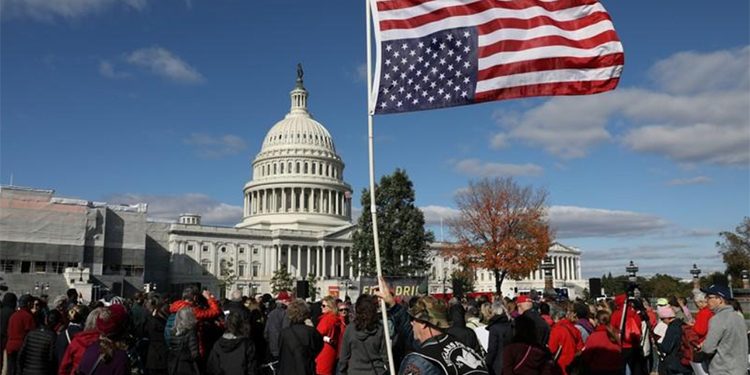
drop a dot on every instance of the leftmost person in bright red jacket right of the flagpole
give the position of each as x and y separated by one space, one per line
565 341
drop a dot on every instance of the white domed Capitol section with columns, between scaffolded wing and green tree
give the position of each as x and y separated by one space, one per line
297 214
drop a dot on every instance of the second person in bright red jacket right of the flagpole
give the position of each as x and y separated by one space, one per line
602 354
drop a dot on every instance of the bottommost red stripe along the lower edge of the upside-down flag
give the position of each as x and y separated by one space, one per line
546 89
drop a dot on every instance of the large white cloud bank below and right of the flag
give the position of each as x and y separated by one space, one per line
697 114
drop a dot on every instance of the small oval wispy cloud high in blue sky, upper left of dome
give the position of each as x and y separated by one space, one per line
164 63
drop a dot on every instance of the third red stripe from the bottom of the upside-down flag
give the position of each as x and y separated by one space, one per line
509 45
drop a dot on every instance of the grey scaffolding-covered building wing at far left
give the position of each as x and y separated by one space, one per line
49 244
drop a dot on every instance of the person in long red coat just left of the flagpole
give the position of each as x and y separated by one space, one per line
330 328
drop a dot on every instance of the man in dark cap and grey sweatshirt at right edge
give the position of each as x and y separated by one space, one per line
727 334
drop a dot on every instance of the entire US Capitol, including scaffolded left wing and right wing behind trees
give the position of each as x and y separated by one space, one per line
297 214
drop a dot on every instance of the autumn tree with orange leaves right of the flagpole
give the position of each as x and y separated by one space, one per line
501 227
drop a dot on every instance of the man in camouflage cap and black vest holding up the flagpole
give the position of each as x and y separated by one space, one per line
436 352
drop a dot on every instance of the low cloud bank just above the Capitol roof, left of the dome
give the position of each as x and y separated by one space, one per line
169 208
